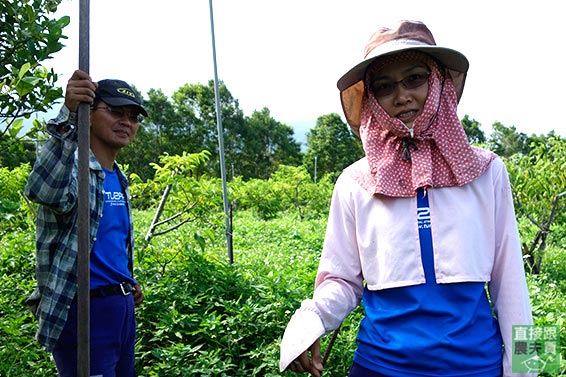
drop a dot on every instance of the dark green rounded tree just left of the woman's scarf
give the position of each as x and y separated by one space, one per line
331 146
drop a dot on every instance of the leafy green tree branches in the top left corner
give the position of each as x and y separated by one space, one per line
28 36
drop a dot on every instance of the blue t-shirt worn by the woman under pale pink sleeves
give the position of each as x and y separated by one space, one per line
429 329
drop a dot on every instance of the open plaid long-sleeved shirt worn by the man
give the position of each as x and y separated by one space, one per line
52 184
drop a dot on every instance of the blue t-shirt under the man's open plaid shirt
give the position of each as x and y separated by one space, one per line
109 258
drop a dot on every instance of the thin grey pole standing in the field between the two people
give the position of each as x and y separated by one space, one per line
220 140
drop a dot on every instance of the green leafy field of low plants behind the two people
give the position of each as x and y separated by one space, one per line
205 317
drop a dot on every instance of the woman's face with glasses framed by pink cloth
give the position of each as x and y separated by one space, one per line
401 89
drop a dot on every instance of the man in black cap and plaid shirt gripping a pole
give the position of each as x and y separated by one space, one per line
116 110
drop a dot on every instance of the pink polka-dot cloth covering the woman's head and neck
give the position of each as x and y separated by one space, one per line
436 155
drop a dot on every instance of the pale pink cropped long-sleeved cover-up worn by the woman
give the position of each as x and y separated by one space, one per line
375 239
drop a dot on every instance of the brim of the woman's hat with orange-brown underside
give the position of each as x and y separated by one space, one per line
351 84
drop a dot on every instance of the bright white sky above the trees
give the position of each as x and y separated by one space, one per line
287 55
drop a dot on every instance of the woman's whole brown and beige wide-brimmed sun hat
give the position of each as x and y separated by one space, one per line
407 35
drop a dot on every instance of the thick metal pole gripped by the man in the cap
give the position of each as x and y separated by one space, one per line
83 258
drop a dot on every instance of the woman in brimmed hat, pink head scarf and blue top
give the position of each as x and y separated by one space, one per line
417 228
